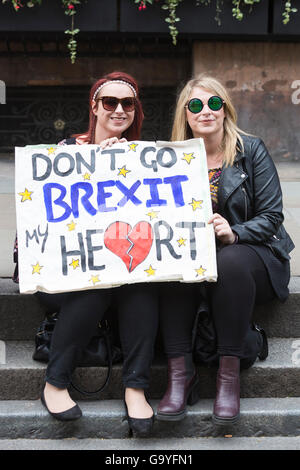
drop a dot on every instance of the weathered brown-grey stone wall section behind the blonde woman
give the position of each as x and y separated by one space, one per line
260 77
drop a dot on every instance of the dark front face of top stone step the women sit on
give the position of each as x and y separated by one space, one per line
21 314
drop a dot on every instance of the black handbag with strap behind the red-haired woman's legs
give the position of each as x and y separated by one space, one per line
101 351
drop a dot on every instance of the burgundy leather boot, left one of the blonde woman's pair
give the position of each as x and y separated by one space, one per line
183 389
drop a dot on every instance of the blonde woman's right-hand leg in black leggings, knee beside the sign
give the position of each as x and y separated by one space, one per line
243 282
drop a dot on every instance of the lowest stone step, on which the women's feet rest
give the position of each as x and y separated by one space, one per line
105 420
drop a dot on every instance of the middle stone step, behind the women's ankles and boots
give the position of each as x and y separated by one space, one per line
22 378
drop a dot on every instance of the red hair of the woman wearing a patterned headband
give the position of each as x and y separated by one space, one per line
134 131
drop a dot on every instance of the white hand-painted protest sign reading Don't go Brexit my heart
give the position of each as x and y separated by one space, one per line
135 212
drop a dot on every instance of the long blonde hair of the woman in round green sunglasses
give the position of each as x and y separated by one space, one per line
232 140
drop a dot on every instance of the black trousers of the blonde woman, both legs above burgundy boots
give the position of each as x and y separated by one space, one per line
243 281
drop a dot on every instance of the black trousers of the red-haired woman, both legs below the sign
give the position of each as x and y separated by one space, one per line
80 312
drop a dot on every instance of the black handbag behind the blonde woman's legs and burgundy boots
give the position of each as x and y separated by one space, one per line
205 342
